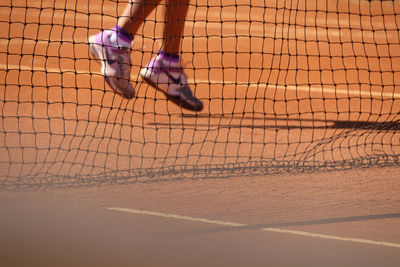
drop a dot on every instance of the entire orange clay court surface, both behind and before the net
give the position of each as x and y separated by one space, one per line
320 218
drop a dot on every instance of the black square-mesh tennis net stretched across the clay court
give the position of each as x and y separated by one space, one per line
287 86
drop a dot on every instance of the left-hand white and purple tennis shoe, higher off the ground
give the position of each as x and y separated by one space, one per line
115 63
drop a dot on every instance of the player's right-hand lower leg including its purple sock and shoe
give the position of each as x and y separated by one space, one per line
164 71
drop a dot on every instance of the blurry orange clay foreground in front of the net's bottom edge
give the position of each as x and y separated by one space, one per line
195 222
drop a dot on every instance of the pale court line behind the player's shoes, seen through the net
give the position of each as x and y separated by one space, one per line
308 89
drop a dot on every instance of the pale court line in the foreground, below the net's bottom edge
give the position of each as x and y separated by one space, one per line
277 230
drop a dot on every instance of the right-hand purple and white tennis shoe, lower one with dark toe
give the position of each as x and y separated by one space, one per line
169 78
